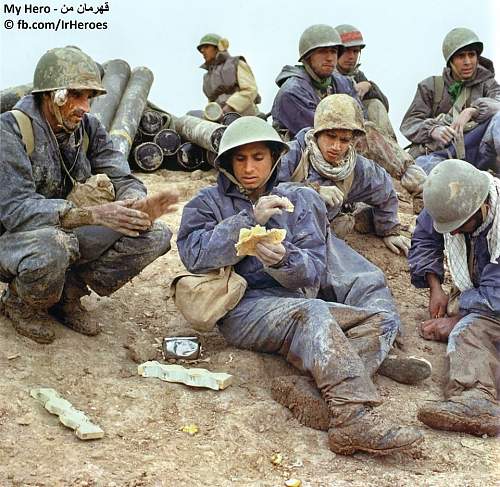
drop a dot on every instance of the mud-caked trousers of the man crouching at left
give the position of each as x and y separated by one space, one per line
36 261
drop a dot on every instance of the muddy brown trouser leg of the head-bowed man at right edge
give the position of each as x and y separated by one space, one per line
473 356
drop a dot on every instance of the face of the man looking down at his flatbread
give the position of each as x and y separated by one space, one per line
252 164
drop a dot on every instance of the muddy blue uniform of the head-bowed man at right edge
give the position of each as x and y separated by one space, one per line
472 352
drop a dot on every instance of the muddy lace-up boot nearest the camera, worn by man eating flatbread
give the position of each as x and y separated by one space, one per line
359 428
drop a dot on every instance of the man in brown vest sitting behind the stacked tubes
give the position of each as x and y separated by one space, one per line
228 81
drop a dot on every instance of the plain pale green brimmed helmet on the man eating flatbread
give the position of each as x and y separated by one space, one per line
246 130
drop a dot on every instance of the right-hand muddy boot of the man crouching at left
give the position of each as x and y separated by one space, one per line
70 311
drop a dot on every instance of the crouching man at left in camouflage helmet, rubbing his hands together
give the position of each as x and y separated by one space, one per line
55 242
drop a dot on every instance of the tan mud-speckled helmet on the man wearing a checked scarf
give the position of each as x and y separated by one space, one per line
339 112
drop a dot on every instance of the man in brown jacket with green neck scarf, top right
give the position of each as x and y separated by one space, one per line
457 113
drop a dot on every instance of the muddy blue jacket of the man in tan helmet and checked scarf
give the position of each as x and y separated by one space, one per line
368 183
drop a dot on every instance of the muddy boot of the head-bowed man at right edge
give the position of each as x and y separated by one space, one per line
474 415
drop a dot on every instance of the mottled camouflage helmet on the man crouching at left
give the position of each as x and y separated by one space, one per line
67 68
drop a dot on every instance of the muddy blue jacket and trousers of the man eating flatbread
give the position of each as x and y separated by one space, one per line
276 315
